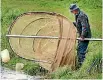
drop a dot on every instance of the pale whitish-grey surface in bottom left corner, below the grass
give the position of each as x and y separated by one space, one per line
7 74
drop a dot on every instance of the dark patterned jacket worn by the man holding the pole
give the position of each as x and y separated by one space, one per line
82 25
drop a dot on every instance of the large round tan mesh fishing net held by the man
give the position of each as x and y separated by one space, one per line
56 52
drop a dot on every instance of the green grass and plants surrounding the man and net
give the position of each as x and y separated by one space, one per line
11 9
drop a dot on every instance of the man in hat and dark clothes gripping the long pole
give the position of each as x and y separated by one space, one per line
83 28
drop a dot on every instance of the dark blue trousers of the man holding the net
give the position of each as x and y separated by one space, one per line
81 50
